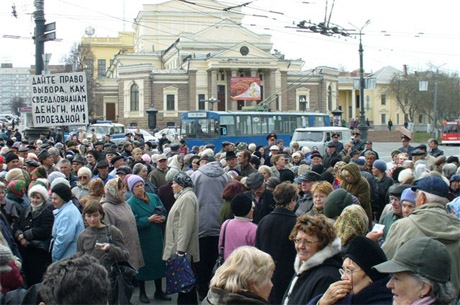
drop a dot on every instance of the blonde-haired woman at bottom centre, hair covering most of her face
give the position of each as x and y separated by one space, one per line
244 278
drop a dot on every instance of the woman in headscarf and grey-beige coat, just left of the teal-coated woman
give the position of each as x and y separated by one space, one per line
119 214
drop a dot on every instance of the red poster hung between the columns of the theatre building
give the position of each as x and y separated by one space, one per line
245 88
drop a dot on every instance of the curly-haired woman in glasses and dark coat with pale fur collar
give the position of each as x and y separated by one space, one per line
318 260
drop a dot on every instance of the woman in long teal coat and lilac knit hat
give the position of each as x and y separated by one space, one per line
149 213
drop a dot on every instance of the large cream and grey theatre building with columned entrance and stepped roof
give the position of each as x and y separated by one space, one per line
182 66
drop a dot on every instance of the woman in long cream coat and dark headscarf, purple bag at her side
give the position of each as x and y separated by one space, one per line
182 227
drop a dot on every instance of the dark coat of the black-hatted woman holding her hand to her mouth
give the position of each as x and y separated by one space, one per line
375 294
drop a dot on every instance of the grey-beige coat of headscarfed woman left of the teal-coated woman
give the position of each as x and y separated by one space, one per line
121 216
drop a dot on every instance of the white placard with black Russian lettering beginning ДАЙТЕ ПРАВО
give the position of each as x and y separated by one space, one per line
59 99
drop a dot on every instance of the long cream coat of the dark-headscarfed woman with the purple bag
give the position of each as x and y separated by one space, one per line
182 226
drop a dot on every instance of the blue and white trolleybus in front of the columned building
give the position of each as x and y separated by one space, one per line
214 127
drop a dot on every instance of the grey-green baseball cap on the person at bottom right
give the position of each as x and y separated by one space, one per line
420 255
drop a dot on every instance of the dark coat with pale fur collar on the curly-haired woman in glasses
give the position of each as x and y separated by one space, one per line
314 276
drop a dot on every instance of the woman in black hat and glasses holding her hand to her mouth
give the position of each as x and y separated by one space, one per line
360 283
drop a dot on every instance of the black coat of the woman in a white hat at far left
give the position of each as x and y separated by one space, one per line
36 227
